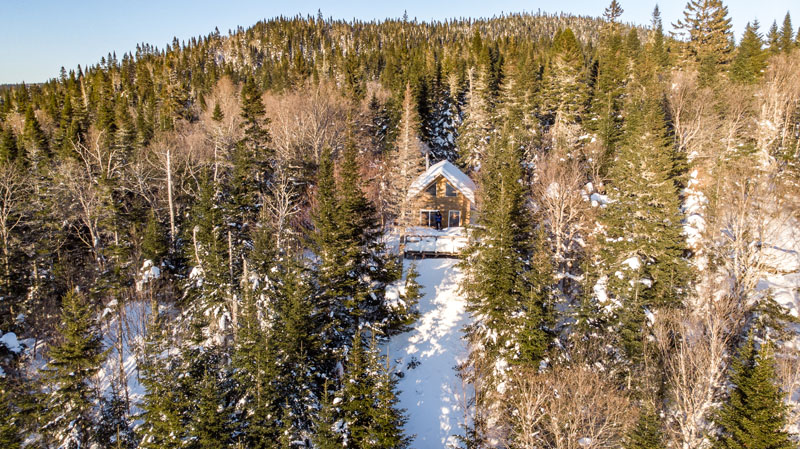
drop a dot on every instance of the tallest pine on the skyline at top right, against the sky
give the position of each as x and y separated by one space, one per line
709 31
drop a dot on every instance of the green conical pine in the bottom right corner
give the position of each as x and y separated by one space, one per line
754 414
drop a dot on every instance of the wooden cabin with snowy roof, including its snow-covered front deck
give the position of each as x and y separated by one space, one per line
444 188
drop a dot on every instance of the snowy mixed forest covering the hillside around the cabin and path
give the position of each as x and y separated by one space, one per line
194 240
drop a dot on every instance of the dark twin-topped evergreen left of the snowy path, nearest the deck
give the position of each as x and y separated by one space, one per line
353 268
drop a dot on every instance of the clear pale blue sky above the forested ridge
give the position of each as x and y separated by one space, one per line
38 37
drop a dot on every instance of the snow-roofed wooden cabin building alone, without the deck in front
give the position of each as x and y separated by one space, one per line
444 188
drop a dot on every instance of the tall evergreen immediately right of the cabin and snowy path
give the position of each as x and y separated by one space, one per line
499 282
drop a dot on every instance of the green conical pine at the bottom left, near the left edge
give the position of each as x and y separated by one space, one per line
74 361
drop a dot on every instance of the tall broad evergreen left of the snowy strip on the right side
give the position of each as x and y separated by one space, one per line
643 253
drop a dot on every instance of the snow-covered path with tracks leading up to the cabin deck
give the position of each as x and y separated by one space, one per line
430 392
